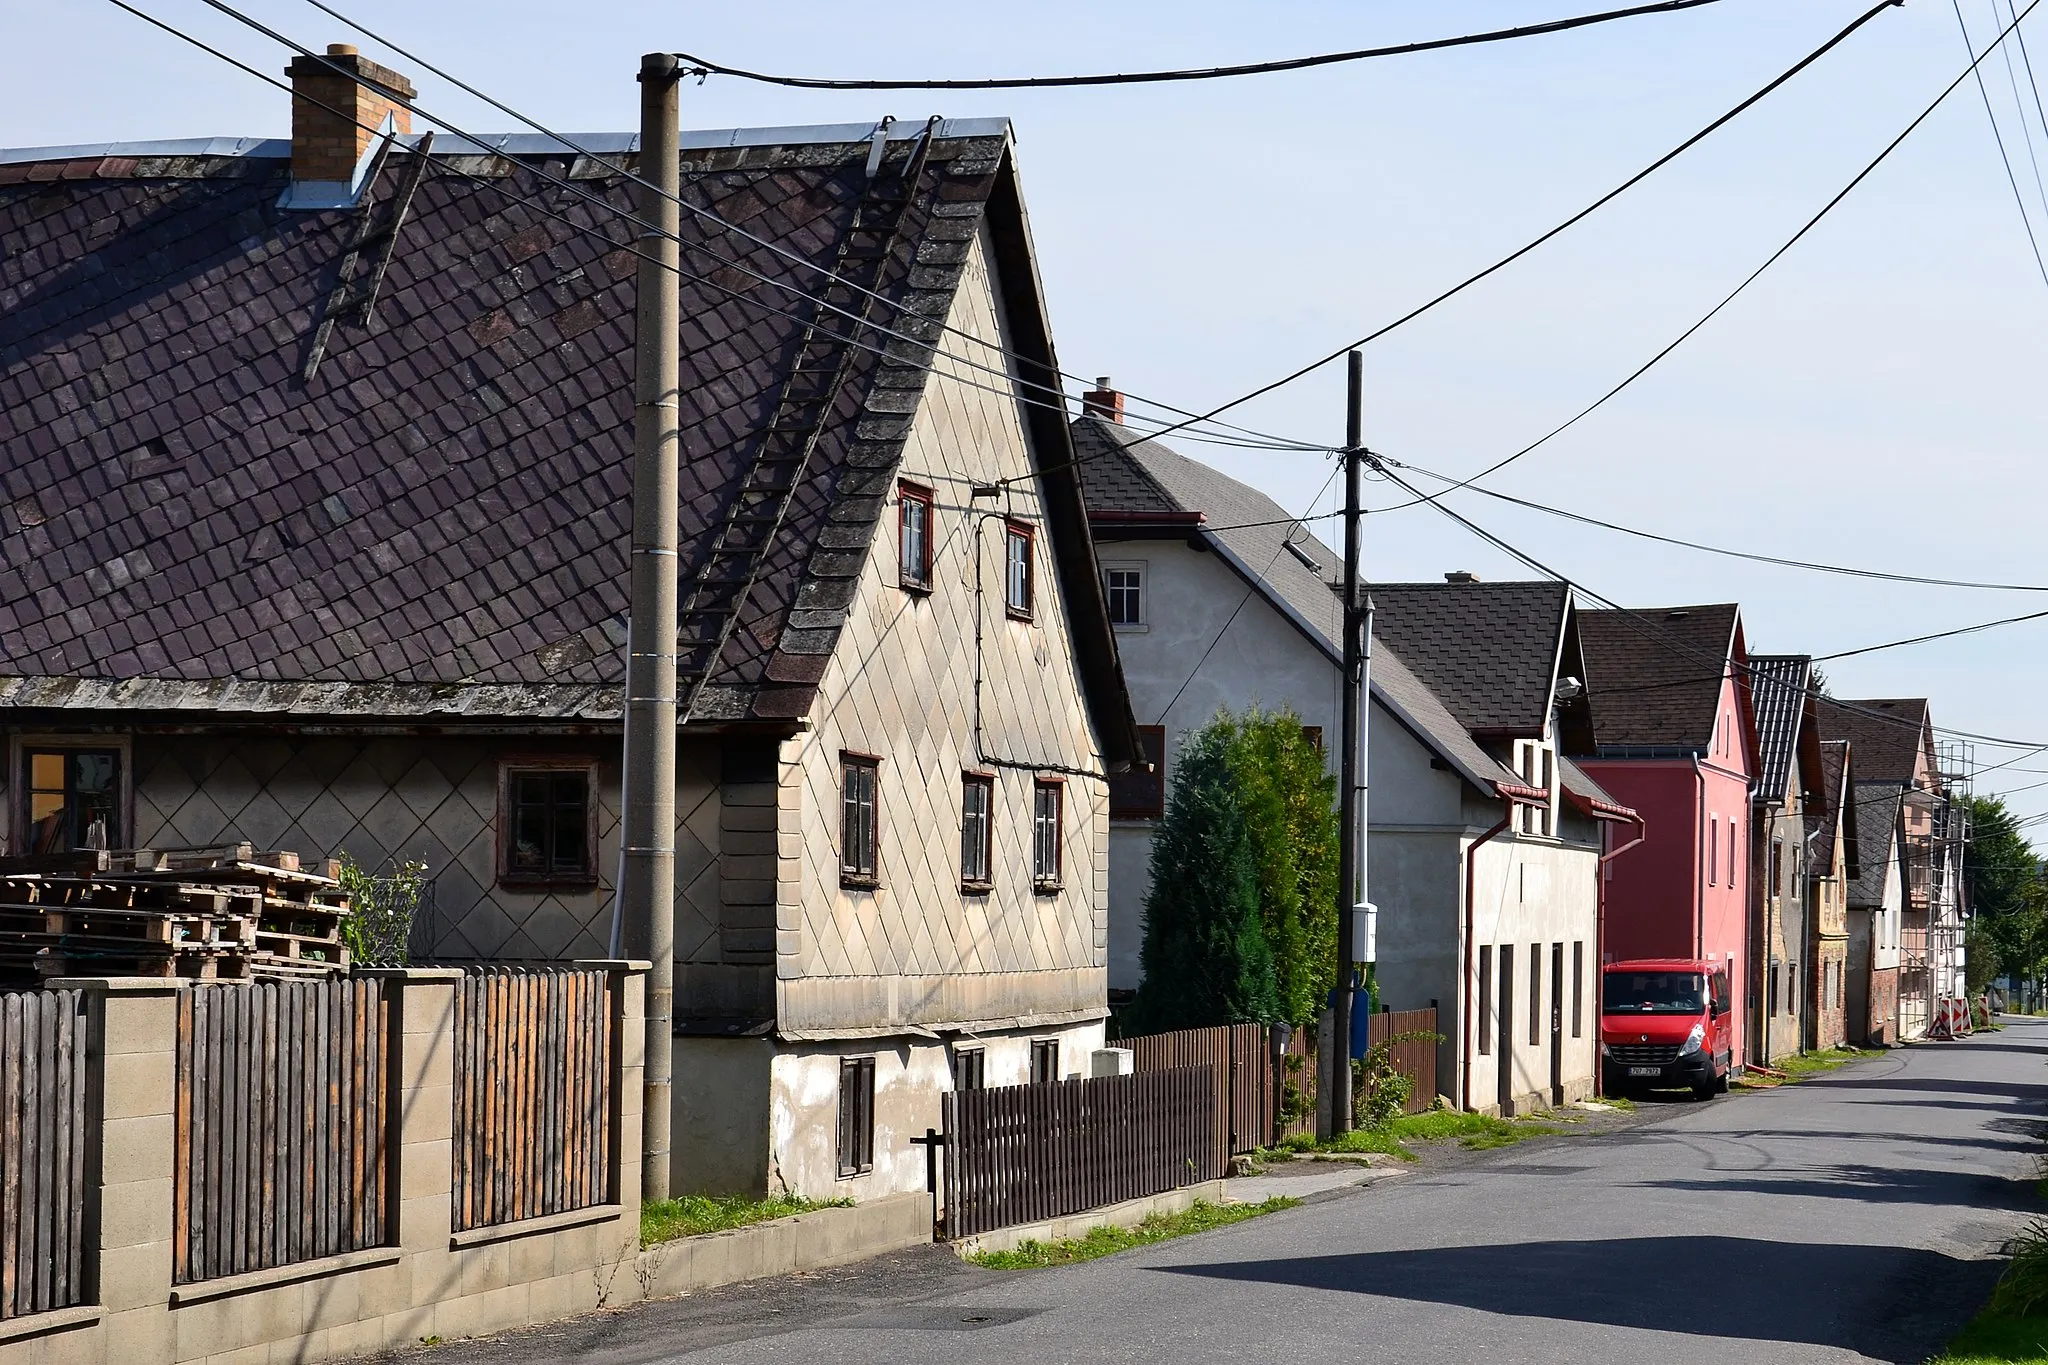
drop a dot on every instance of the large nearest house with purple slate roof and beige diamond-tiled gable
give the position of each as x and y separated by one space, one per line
345 570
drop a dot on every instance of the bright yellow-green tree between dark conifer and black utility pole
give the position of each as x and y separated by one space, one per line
1289 803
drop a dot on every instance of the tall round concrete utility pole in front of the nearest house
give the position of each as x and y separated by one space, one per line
648 856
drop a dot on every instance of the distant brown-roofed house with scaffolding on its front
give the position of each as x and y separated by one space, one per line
1895 754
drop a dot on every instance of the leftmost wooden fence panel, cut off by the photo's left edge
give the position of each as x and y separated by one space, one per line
44 1047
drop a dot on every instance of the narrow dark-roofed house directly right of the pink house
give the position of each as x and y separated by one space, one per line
1789 783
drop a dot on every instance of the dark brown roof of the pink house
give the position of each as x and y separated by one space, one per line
1654 678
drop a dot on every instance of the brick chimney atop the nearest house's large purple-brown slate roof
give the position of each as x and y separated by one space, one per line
337 112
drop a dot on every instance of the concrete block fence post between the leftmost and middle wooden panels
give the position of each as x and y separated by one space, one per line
132 1168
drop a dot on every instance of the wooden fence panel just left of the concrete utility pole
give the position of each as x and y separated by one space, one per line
534 1106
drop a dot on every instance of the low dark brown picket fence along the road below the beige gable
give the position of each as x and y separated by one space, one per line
1027 1153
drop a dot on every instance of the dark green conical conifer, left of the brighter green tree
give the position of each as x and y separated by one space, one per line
1205 946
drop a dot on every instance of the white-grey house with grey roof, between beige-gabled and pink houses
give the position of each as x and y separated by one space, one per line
1484 844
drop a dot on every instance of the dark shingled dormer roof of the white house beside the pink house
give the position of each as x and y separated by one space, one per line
1488 650
